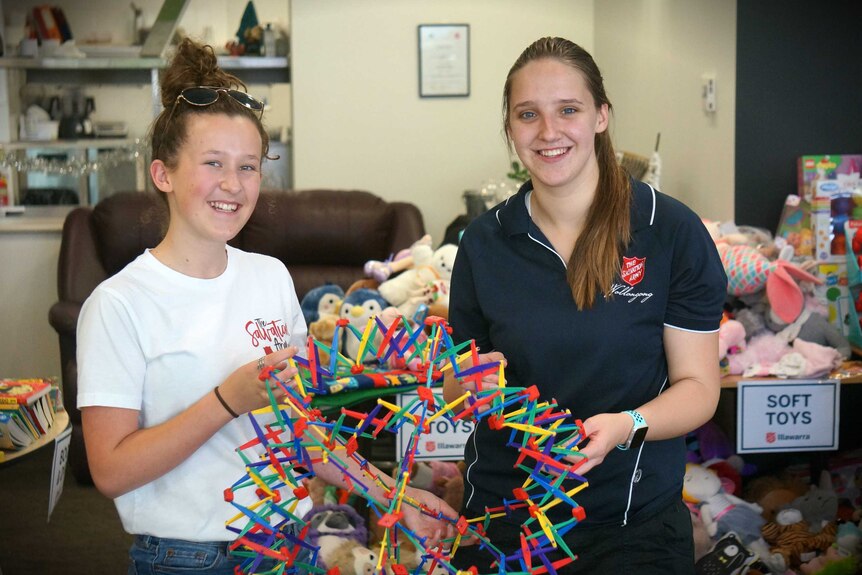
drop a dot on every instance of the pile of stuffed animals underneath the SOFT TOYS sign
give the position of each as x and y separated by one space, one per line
779 527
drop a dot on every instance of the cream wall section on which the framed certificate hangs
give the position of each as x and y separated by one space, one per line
358 120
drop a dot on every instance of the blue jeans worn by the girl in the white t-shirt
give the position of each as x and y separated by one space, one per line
150 555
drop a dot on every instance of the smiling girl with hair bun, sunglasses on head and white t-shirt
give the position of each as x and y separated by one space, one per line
167 361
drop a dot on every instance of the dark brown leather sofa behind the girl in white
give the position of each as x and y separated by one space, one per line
321 235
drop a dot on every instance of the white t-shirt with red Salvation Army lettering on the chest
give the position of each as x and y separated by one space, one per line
155 340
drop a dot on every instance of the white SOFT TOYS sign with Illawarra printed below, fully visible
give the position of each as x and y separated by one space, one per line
801 415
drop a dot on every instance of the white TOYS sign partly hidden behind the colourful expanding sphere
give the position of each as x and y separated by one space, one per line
445 439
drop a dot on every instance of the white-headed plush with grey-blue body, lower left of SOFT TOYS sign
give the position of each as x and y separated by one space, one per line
723 512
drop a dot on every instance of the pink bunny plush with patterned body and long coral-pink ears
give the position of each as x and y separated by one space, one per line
749 271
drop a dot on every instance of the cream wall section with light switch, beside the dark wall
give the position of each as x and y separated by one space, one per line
653 54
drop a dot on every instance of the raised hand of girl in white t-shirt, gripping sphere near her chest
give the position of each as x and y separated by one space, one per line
245 391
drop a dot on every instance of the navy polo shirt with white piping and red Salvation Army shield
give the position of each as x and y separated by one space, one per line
510 293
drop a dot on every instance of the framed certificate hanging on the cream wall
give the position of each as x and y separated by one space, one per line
444 60
